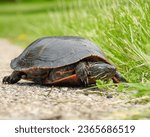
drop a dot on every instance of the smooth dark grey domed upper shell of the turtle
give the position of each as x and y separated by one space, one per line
54 52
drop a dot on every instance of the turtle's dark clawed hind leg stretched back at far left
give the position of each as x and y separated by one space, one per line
13 78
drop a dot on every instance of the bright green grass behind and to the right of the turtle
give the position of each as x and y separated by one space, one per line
120 27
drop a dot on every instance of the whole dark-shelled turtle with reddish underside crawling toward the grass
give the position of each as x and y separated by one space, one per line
64 61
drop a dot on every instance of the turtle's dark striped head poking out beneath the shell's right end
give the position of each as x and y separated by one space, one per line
101 70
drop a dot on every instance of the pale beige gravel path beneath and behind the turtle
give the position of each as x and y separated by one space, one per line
26 100
